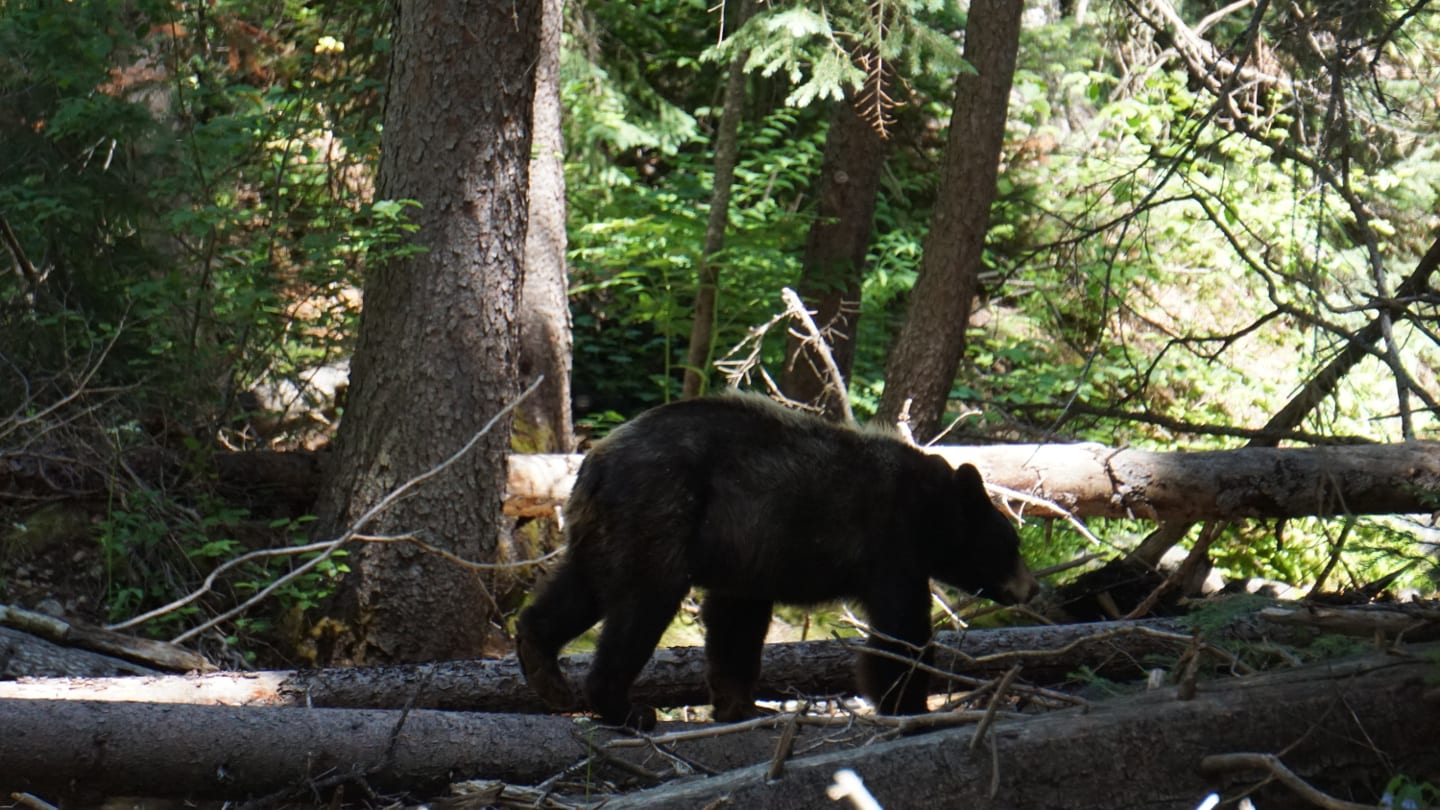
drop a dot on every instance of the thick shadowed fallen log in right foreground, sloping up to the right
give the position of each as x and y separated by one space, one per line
1346 727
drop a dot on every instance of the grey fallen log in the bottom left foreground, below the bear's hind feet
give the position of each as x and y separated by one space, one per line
83 752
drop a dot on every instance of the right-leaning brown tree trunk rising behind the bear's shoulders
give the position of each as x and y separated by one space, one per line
928 351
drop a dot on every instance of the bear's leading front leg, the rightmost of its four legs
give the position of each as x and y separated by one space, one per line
901 626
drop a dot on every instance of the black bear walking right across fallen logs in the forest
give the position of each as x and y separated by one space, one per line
755 505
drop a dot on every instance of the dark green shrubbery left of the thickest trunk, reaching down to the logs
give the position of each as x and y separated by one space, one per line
184 187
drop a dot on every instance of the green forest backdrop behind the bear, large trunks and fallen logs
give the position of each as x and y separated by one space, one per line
1199 208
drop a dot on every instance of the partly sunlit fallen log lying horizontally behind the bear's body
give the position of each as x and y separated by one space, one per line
1089 481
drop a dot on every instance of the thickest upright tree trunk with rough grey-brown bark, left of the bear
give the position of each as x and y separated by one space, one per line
437 350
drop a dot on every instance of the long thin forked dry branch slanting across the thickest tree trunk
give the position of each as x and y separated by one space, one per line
325 548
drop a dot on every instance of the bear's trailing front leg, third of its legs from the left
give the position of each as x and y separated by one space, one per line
735 638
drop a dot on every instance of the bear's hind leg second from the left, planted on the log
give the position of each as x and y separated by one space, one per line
633 628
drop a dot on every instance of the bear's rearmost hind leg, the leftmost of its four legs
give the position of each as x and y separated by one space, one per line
565 609
